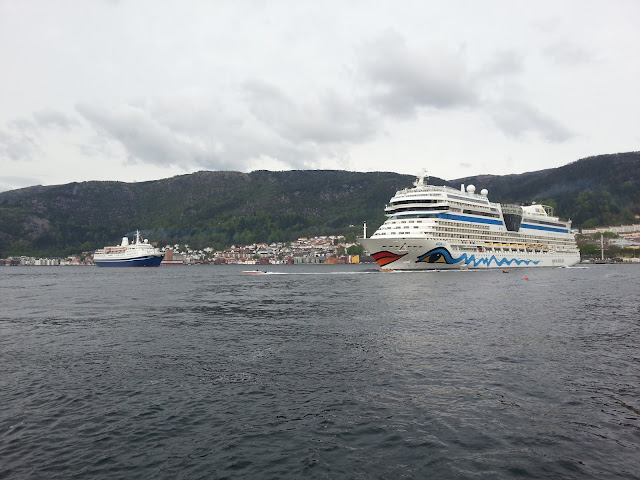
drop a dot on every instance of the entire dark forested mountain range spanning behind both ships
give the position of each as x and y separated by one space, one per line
222 208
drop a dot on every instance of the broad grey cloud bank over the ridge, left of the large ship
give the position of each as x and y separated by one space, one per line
233 130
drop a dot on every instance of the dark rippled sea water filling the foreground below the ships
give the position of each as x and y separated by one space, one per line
319 372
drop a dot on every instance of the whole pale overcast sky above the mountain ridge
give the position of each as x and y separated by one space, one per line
137 90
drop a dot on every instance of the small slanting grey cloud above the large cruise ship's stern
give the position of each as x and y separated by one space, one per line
516 119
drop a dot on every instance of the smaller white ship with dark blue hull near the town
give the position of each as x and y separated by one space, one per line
140 253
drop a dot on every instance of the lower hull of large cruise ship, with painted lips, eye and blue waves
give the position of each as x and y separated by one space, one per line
424 254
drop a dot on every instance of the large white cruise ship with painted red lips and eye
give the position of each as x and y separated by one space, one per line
439 227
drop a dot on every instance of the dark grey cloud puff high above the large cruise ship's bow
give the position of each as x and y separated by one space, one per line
406 80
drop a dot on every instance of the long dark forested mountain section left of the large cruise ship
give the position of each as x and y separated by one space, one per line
202 209
